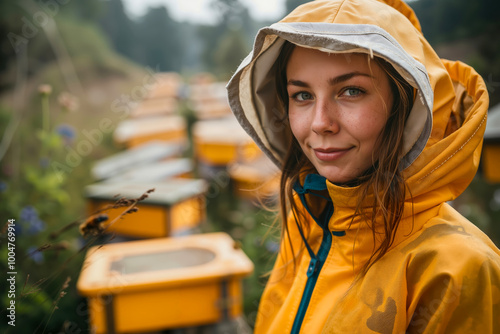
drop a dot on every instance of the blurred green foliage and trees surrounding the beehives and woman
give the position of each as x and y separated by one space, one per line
94 54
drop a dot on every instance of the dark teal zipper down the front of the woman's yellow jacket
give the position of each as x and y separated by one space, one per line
313 271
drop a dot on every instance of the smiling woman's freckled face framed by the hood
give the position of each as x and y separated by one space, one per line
338 106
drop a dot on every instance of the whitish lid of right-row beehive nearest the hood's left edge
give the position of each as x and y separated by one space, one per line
224 130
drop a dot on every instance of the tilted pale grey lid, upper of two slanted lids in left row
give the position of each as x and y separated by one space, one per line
137 156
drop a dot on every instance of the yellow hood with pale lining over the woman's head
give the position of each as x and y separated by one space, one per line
387 29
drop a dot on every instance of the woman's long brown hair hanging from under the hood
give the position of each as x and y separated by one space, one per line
384 180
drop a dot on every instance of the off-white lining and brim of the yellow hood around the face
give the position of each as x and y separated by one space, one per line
252 91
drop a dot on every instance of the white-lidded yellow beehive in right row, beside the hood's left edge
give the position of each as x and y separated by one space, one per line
219 142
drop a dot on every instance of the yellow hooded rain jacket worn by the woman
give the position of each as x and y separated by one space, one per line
441 274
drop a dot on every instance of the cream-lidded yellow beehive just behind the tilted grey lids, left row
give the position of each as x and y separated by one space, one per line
133 132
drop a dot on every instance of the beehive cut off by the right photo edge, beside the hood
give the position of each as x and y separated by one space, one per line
490 160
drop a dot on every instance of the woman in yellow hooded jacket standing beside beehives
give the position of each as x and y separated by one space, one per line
374 135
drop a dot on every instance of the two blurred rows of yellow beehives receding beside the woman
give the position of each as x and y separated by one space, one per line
174 277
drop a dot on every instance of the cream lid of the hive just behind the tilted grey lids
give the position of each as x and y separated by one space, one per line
131 128
